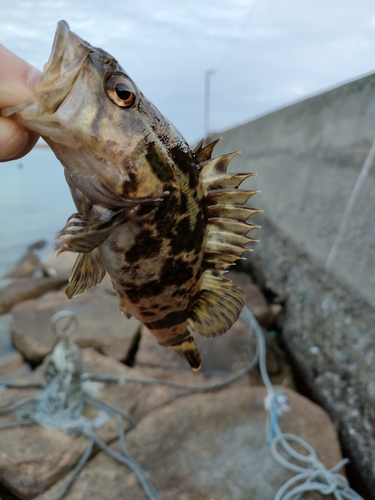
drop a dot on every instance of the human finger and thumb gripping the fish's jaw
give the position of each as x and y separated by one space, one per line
17 79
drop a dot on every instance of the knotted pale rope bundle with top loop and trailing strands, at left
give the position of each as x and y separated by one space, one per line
60 406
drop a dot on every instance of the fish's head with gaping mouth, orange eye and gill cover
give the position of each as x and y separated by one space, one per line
112 141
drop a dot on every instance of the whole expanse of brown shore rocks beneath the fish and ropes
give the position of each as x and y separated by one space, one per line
192 446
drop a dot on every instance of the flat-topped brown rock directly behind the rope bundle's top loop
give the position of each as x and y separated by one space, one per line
101 325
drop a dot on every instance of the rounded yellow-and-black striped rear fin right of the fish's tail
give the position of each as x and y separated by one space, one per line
217 306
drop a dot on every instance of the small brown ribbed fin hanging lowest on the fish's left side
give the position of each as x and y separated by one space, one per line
88 271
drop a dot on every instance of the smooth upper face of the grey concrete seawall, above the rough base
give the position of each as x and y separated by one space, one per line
308 157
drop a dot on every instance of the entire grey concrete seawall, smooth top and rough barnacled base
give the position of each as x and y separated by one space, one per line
308 157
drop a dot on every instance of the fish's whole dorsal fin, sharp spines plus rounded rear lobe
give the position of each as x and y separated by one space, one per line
219 302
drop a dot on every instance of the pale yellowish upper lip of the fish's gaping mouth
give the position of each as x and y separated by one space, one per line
61 70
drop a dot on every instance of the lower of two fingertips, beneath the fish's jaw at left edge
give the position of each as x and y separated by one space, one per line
15 140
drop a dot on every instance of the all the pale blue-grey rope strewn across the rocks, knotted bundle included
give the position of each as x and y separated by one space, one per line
64 393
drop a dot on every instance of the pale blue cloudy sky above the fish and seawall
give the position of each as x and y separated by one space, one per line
265 54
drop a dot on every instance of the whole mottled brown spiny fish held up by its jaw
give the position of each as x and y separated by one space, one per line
163 220
